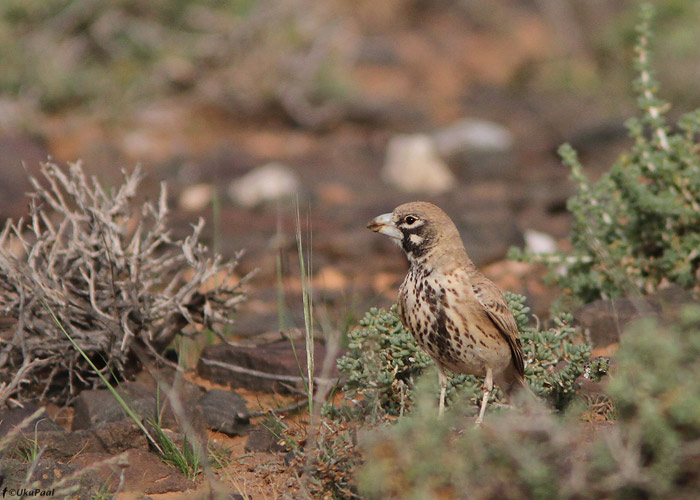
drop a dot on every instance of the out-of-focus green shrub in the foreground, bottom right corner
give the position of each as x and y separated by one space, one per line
651 452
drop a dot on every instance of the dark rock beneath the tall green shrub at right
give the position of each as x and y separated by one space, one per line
604 320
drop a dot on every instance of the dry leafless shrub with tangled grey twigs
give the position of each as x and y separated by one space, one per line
111 274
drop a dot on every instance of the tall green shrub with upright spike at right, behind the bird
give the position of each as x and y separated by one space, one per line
638 226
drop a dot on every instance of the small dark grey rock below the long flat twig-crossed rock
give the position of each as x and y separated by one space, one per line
225 411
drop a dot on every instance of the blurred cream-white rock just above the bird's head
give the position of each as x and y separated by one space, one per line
413 166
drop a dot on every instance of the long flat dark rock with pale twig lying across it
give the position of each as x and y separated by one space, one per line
271 367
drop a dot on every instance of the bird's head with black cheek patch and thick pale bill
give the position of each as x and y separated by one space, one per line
419 228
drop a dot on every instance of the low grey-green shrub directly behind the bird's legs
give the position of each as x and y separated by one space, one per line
383 361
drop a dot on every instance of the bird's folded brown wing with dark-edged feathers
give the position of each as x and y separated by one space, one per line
495 305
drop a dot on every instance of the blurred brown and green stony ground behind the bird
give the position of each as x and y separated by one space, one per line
354 106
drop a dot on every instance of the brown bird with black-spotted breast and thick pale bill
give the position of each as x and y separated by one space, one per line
456 314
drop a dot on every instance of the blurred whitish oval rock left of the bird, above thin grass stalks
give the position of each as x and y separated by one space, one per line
269 182
